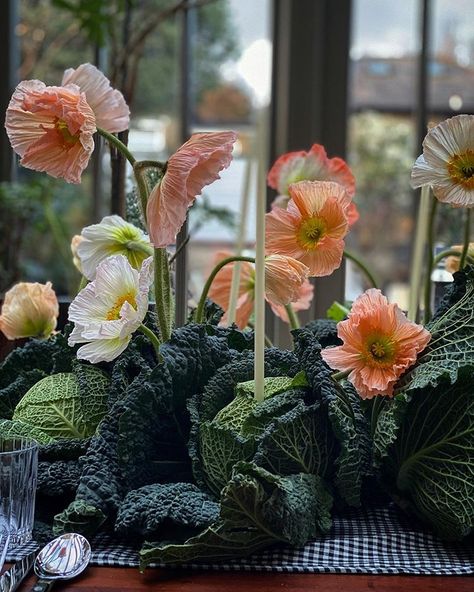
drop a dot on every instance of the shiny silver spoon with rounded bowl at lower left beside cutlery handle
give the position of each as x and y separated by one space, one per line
62 559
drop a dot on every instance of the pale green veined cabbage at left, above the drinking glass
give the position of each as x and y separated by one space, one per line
59 407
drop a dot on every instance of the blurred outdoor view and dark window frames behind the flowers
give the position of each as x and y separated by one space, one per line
362 77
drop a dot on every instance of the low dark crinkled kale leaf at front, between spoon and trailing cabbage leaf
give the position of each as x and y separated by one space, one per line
166 510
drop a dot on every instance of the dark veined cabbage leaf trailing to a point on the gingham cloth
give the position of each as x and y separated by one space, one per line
258 509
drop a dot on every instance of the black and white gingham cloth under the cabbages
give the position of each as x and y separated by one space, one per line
377 541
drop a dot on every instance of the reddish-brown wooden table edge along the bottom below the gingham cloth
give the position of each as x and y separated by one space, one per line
128 579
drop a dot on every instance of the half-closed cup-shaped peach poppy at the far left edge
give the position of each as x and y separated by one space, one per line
29 310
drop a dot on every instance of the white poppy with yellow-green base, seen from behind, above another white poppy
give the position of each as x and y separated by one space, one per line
113 236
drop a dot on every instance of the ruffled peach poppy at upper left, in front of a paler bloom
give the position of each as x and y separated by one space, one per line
51 128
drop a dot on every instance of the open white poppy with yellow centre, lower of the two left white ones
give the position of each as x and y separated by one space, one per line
109 309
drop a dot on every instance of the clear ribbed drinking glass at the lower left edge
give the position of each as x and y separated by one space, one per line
18 473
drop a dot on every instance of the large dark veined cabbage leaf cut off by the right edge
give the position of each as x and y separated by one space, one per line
425 444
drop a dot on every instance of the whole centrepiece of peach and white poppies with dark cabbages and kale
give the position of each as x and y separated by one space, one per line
185 447
